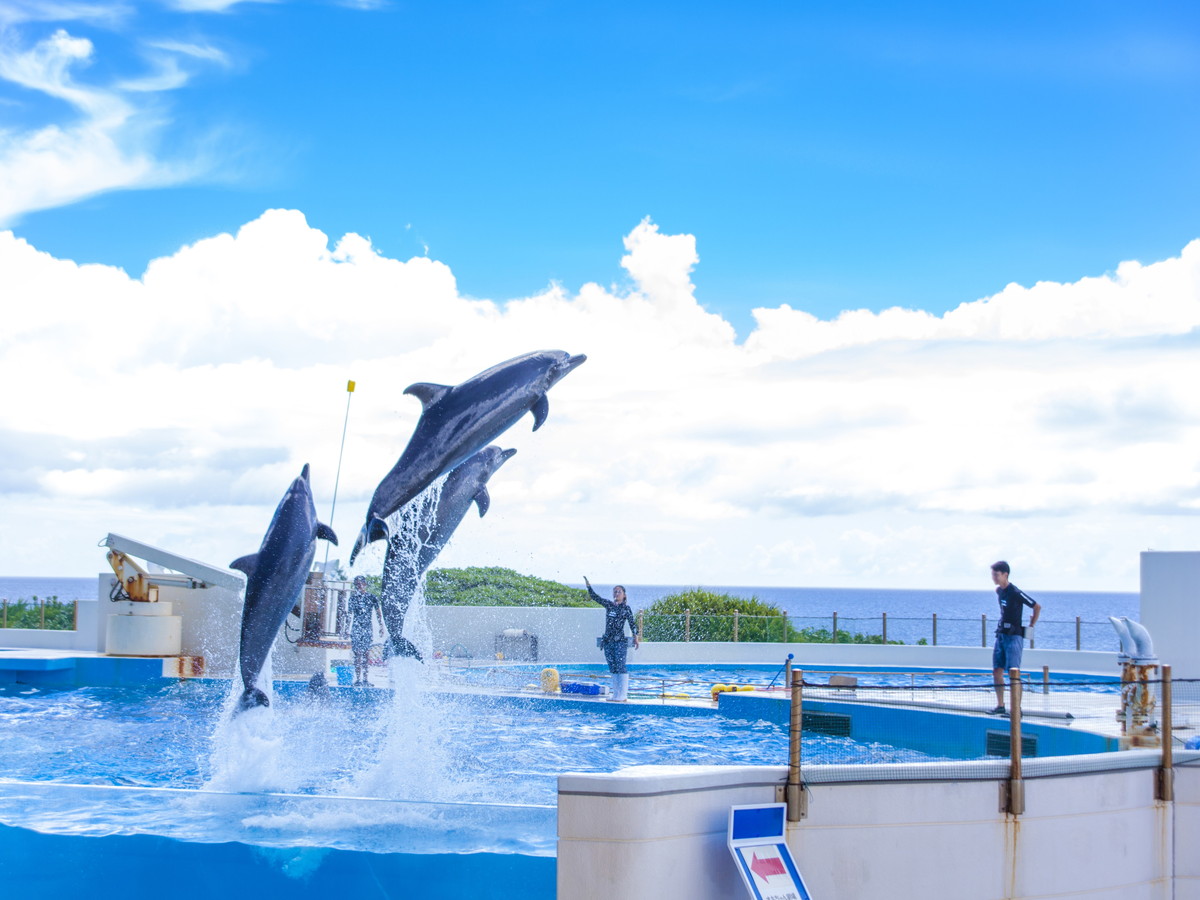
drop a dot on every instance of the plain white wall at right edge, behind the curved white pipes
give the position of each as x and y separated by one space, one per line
1171 609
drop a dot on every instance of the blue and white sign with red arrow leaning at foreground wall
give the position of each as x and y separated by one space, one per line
759 845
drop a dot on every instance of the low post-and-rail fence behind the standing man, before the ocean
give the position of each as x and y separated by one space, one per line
934 631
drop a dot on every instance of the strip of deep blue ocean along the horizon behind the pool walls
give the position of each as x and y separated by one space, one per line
860 610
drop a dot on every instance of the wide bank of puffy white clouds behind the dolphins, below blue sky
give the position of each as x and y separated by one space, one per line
1053 424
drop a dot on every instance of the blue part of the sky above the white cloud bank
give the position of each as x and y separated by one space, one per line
826 155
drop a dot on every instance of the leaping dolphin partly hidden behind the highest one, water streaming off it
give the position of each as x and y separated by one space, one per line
465 485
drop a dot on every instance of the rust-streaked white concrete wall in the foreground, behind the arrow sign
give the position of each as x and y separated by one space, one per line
1094 835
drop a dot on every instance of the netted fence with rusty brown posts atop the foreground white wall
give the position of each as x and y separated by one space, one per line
1075 727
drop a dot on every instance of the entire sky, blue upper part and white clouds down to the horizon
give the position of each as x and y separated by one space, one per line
872 295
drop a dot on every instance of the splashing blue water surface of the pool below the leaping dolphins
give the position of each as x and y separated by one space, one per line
406 771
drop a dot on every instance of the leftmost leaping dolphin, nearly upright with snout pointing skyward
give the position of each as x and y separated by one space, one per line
274 579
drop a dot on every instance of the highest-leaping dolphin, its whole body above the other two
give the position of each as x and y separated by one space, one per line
460 421
